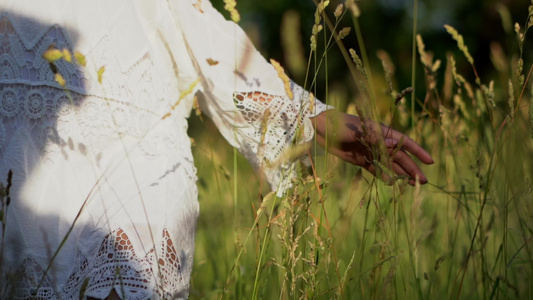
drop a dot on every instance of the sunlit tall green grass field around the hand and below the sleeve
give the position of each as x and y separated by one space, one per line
342 234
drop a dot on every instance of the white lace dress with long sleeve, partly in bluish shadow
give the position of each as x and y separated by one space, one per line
103 191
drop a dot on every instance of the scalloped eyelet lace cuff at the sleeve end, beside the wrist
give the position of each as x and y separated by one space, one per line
277 123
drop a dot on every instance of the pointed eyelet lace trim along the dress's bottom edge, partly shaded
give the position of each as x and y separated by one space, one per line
114 266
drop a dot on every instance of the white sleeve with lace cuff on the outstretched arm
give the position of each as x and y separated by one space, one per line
255 110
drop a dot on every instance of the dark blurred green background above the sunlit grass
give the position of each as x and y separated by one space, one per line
388 25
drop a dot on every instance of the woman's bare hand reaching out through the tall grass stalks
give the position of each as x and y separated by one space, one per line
353 141
